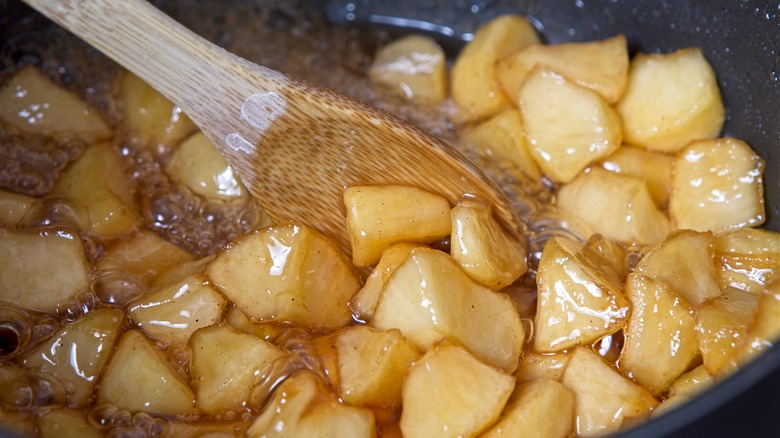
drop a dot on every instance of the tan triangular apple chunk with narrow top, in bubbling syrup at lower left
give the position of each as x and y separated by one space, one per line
140 378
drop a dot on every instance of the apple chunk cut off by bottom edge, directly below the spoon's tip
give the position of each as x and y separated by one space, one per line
542 408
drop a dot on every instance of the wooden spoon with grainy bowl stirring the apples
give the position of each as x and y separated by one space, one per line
295 145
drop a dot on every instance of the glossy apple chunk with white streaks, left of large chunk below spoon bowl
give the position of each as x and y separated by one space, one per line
171 314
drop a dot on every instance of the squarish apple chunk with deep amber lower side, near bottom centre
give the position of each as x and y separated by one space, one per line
372 365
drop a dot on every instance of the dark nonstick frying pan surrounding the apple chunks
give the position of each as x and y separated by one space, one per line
741 39
